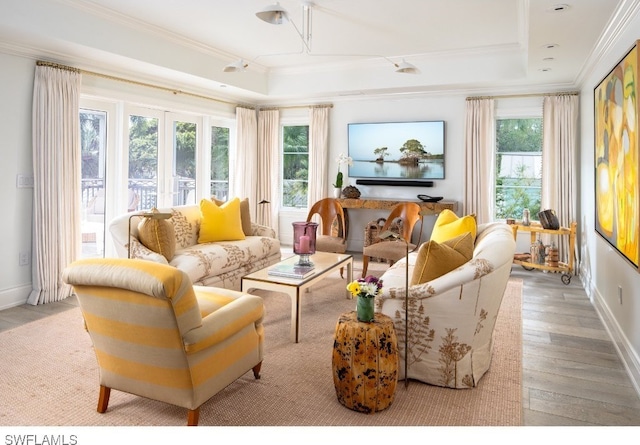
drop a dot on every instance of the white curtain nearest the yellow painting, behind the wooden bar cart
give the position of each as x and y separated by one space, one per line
559 146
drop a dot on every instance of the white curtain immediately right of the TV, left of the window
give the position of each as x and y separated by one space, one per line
480 136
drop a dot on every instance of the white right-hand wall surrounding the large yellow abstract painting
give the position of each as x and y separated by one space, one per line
603 269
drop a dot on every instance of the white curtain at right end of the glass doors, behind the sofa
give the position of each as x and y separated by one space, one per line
246 157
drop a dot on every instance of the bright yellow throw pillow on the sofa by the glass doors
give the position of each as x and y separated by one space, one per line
220 223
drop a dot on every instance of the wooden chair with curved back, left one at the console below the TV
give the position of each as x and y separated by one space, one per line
330 239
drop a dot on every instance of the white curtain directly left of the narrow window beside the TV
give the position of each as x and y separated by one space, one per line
268 167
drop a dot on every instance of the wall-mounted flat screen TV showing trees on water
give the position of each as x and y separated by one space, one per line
397 150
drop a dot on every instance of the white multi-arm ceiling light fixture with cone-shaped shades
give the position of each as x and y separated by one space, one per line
277 15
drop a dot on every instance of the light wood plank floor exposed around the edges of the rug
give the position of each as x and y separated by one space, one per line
571 372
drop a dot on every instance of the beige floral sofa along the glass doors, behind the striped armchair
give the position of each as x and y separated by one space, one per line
217 264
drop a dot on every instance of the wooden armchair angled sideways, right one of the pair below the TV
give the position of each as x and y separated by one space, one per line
392 249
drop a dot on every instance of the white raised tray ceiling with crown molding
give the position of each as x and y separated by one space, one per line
458 45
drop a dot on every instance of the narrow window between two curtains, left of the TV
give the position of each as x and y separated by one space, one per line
295 165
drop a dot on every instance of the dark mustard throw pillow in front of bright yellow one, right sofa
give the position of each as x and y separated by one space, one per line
436 259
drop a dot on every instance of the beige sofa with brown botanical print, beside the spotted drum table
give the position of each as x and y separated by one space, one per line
452 317
